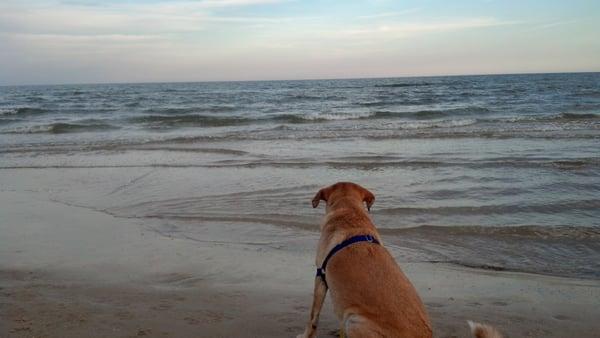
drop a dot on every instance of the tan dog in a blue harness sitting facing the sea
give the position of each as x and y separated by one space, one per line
371 296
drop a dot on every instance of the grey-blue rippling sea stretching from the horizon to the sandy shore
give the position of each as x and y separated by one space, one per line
493 172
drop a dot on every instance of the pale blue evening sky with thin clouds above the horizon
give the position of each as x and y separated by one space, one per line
91 41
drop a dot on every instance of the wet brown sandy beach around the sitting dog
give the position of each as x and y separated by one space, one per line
68 271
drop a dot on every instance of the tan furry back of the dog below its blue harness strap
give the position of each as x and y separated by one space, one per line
368 287
